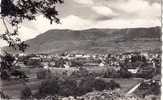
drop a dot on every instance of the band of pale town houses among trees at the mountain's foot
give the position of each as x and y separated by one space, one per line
133 61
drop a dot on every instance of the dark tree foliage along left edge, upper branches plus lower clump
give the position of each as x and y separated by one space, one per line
14 12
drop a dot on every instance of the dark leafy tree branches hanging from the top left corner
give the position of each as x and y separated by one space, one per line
16 11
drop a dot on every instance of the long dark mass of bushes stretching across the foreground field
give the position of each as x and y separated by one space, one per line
70 86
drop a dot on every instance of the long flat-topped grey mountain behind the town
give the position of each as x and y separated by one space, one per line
96 40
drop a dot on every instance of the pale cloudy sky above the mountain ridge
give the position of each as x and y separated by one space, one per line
86 14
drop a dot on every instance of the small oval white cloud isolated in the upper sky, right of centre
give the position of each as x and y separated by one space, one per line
105 11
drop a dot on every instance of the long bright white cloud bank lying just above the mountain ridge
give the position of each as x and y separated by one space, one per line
77 23
